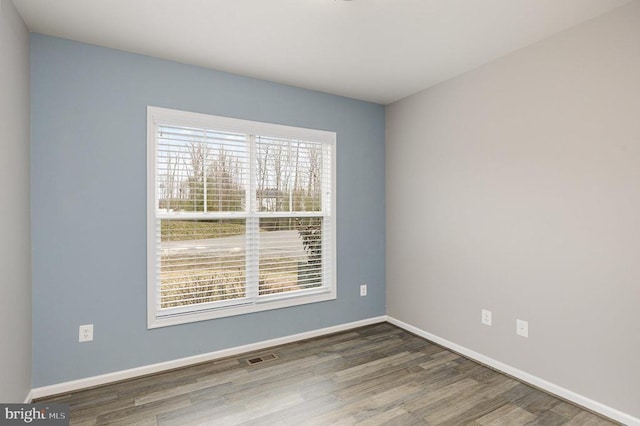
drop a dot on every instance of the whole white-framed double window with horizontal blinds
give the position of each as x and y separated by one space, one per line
241 216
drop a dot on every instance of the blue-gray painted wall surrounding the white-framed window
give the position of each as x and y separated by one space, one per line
88 181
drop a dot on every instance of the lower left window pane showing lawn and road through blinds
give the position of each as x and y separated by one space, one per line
201 261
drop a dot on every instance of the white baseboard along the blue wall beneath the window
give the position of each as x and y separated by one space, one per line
103 379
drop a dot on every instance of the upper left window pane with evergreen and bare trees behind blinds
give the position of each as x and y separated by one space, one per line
187 158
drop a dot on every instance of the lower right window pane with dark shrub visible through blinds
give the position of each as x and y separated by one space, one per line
290 254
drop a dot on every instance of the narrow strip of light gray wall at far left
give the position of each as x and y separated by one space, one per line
15 248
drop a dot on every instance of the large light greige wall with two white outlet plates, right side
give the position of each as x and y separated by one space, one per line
516 188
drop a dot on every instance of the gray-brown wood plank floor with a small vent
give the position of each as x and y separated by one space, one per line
372 375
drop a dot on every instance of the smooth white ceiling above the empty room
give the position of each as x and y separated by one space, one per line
375 50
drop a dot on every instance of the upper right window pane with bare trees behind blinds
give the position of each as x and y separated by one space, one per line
289 175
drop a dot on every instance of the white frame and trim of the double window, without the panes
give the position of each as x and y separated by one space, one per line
155 316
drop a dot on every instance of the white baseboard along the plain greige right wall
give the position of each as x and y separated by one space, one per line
583 401
